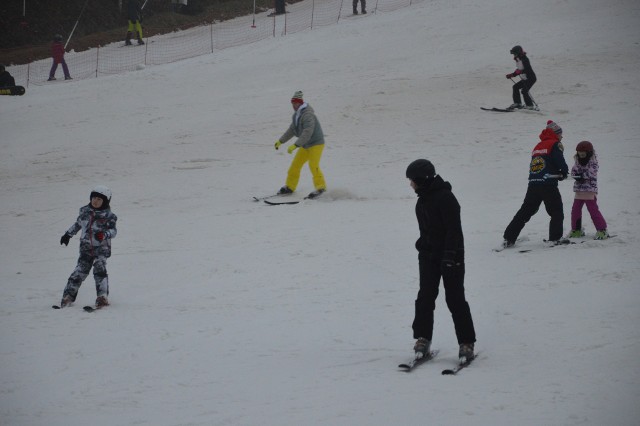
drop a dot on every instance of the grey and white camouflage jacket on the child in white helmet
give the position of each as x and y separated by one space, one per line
91 221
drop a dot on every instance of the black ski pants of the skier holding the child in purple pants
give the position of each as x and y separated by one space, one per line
536 195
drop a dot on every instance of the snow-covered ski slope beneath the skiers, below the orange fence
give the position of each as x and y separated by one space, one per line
229 312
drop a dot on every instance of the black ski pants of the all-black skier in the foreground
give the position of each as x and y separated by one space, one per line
431 271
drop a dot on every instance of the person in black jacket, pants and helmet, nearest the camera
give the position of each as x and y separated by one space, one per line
440 255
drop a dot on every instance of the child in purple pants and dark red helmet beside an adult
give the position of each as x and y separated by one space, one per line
585 172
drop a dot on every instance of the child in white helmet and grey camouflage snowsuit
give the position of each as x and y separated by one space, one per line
98 225
